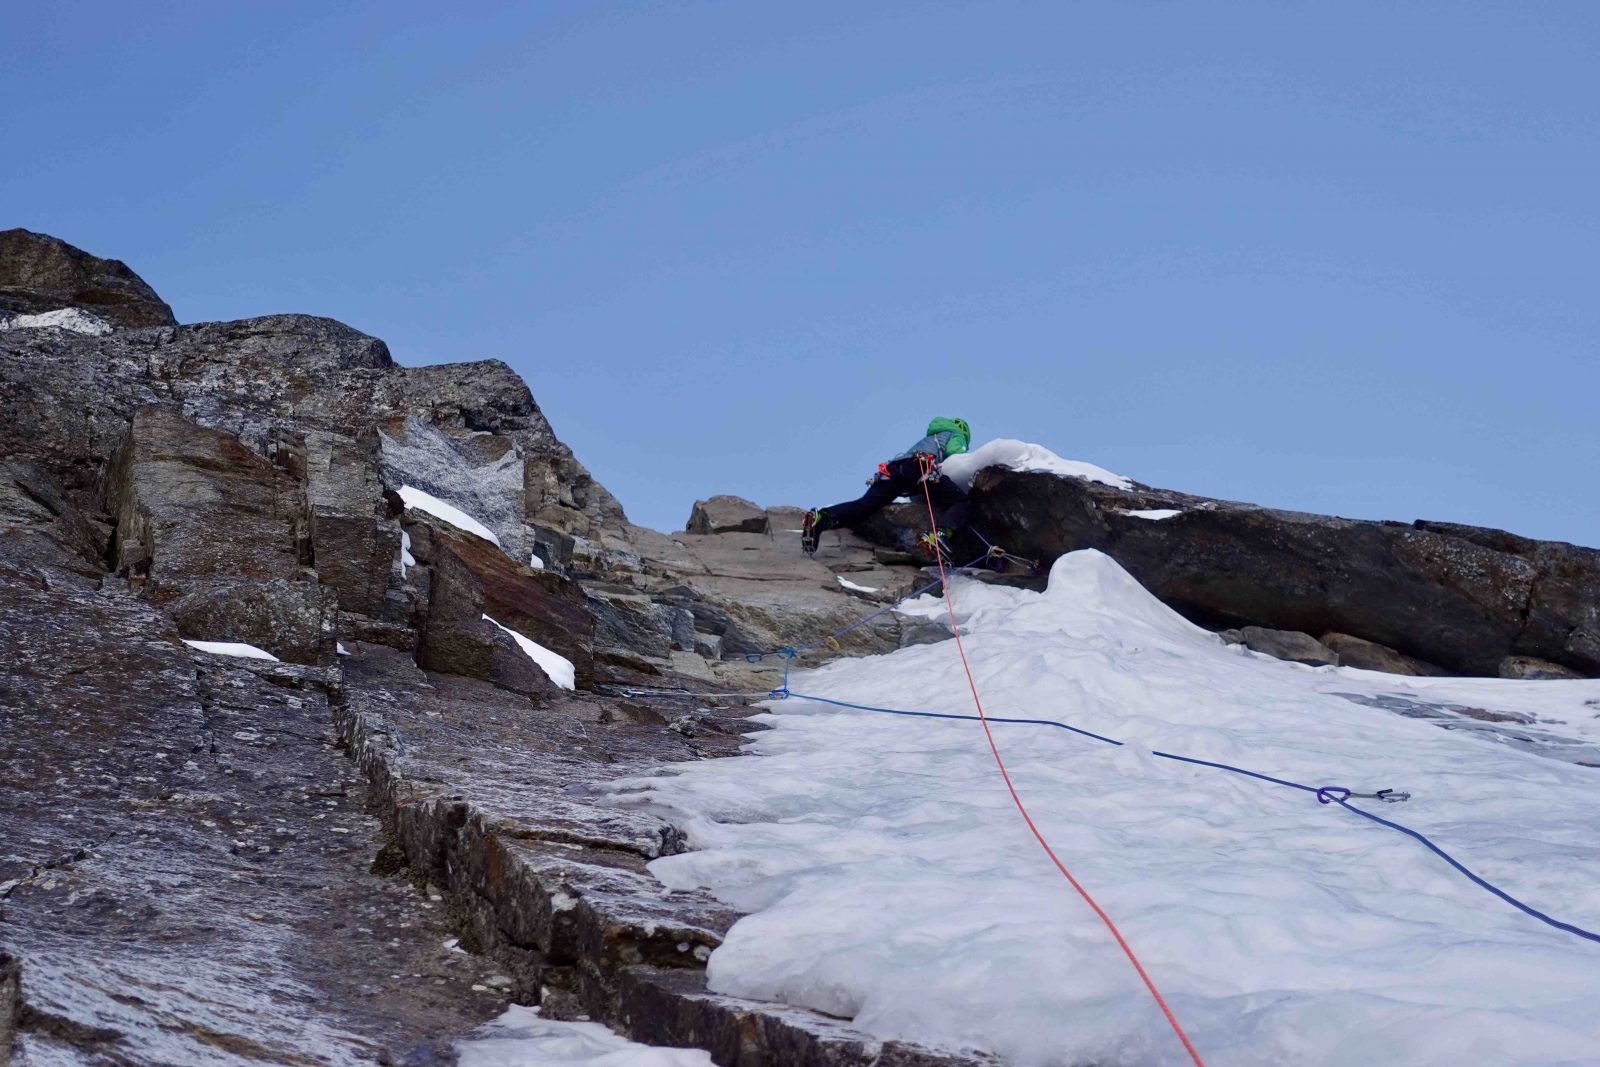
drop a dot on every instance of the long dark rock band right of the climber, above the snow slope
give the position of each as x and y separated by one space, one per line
1444 594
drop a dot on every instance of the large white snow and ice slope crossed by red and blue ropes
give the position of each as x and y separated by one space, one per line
889 879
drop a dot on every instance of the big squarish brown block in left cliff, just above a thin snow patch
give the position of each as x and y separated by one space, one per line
214 533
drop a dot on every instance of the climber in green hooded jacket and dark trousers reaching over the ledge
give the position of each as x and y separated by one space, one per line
905 476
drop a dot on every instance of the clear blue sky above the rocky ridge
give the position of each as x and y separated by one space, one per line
1337 258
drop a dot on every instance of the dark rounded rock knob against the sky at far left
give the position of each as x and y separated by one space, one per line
44 274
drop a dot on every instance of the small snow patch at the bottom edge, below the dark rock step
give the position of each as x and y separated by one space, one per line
522 1039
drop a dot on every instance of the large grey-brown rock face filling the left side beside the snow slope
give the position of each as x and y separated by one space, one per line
186 871
